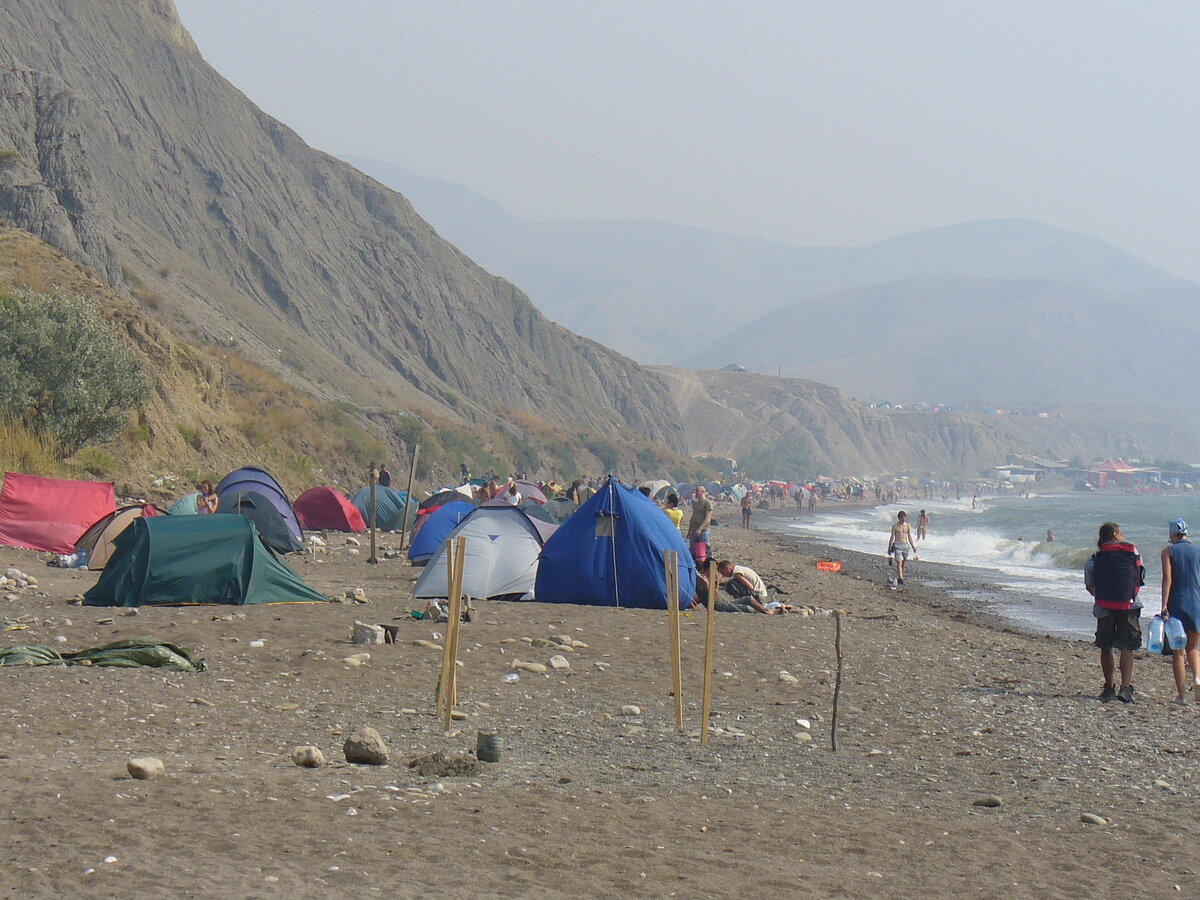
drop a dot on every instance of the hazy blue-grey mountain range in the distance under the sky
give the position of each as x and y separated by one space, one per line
665 293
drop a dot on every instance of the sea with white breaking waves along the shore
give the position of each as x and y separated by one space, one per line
1003 544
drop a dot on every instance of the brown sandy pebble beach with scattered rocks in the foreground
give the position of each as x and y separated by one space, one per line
941 709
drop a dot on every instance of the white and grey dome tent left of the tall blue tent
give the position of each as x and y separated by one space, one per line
503 544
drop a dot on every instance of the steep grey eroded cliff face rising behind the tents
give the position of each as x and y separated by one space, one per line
121 147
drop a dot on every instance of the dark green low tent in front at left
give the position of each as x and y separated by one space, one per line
196 560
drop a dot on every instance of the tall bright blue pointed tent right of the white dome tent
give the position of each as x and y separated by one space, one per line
610 554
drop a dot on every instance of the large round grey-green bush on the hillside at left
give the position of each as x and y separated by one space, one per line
64 370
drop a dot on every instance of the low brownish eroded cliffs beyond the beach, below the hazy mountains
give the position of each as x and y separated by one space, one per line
740 415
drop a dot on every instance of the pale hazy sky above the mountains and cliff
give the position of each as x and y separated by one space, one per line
833 123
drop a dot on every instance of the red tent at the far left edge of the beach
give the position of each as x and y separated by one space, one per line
51 514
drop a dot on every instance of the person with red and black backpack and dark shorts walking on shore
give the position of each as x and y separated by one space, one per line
1114 575
